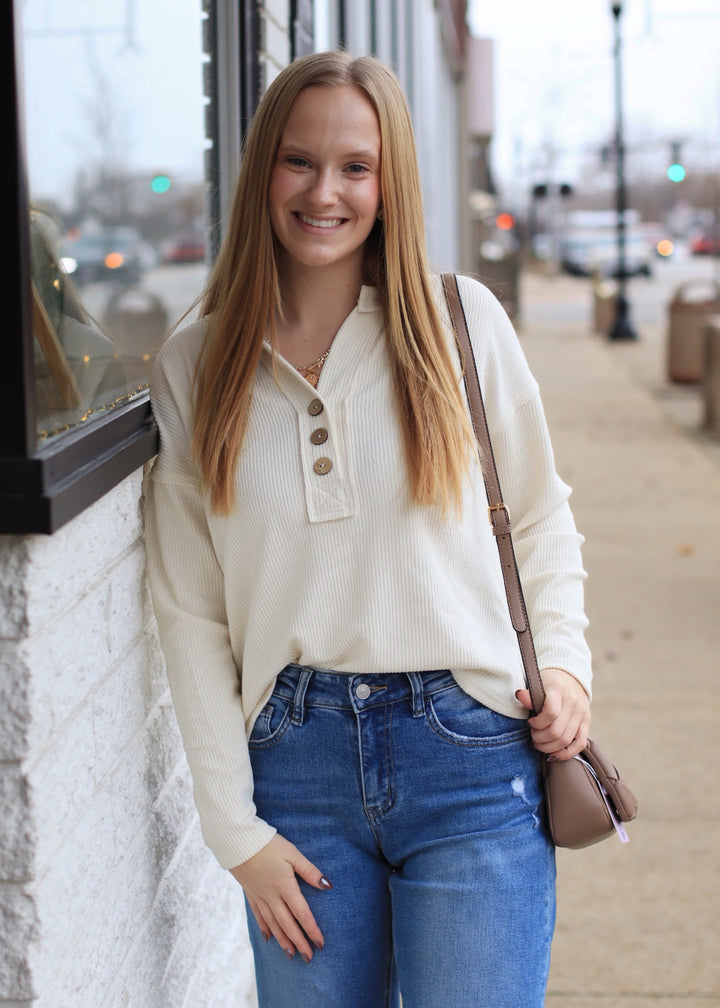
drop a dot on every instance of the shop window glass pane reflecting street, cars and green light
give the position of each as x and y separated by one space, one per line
115 124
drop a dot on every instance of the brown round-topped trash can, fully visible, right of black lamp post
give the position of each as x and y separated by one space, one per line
692 303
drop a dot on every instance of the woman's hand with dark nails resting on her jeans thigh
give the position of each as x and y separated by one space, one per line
271 885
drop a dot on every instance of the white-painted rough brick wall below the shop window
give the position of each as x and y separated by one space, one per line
108 897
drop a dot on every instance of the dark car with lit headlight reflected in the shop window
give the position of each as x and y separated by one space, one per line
116 256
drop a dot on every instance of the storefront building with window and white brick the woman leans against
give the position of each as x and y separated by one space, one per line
108 897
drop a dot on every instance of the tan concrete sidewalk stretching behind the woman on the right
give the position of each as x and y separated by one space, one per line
640 924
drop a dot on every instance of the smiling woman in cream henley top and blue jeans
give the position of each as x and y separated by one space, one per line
327 587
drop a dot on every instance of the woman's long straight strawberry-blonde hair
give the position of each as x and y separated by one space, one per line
244 296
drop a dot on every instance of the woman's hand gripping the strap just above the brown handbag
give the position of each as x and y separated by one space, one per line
562 726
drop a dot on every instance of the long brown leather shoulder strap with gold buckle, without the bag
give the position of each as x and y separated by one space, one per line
498 511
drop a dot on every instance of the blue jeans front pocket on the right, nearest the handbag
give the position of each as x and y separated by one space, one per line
459 718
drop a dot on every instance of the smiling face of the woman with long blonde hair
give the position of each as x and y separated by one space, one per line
325 186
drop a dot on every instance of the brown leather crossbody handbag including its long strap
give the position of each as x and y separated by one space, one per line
586 800
